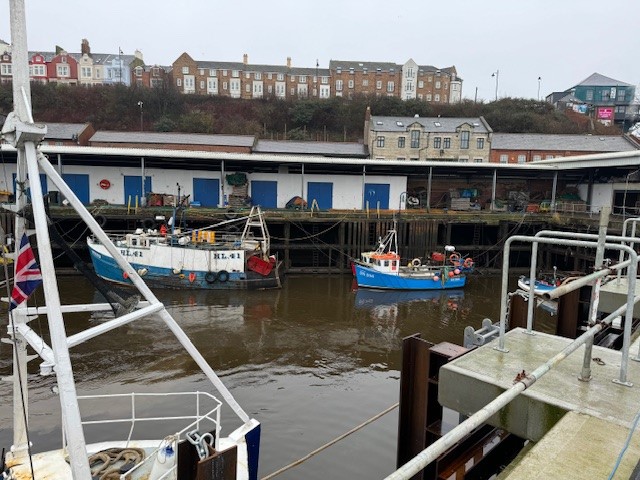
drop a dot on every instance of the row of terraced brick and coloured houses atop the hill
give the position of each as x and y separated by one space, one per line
243 79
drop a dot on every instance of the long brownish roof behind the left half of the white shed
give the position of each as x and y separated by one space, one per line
174 138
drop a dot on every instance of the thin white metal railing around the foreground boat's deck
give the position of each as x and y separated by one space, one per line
196 418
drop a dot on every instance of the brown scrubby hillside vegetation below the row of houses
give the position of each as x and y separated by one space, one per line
336 119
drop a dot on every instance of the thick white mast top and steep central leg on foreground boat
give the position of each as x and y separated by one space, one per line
20 130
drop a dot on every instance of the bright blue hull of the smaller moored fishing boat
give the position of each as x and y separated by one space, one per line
369 278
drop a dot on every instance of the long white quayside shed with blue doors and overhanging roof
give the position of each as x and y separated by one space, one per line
338 176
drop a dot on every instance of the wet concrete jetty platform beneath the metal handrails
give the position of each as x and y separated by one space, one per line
583 443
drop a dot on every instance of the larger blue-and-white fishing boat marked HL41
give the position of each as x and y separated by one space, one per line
196 259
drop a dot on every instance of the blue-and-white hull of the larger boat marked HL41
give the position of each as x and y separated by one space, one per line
183 268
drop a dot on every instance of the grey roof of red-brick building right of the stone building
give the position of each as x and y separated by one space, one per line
539 141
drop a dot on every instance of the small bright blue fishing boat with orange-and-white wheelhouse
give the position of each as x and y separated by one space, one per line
383 269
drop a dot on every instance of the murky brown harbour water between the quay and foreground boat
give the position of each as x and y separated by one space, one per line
310 362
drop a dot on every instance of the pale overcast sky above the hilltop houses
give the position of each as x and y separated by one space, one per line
561 41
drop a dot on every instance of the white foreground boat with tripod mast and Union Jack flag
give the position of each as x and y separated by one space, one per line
133 435
